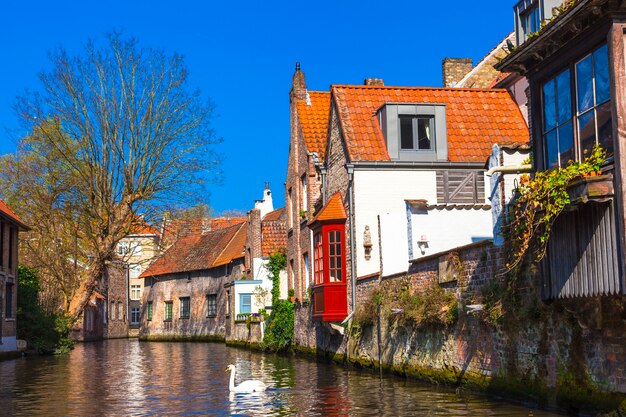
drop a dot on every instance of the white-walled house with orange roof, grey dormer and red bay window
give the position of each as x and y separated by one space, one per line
406 164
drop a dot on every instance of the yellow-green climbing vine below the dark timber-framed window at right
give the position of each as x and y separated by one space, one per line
540 201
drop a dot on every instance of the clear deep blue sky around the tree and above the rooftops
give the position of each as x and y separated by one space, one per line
242 55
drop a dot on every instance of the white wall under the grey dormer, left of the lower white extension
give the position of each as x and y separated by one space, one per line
383 193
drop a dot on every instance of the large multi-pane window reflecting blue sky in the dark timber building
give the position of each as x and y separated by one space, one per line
573 125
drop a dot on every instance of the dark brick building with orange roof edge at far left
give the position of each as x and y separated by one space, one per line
10 226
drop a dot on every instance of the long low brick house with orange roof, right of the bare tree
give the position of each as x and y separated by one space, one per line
184 294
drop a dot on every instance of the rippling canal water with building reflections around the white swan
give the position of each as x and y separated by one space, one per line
130 378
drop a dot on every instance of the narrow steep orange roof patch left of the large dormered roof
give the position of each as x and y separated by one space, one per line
314 120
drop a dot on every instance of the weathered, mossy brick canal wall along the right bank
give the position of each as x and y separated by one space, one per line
564 353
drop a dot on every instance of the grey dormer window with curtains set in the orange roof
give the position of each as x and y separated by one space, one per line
415 132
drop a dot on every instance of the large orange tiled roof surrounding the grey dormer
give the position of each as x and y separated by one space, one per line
476 119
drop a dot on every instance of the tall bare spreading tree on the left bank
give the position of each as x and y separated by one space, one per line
118 132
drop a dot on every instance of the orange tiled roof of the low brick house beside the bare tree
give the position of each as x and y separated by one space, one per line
199 251
